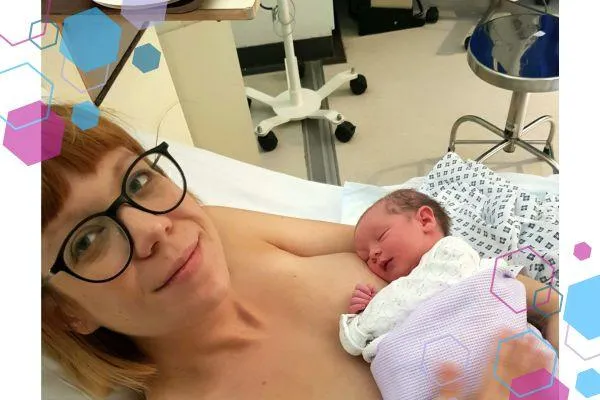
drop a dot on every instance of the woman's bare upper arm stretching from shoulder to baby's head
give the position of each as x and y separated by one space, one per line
301 237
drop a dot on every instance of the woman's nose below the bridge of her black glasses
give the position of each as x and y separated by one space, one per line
147 230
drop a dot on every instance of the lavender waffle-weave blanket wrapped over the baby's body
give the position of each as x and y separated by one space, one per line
457 325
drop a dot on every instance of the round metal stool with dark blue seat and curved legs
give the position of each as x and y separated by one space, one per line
518 53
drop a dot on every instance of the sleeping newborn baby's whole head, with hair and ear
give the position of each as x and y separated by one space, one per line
396 231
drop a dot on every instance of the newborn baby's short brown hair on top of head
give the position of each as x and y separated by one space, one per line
403 200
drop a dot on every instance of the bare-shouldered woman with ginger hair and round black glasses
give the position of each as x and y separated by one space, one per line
145 287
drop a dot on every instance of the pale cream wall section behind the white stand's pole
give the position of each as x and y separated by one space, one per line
314 18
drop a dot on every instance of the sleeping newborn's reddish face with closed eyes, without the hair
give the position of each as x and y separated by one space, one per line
392 244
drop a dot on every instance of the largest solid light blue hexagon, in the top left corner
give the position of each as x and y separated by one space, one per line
90 39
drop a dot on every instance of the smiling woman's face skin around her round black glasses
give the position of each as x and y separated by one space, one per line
149 298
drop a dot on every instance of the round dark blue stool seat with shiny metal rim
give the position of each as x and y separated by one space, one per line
517 52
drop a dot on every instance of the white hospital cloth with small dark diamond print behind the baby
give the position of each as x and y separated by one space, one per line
497 217
